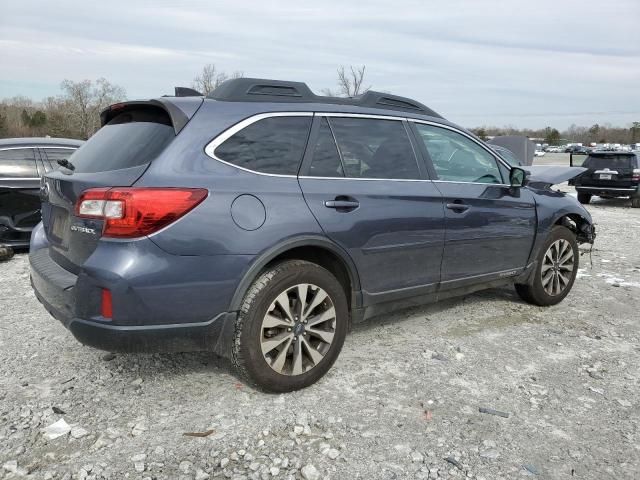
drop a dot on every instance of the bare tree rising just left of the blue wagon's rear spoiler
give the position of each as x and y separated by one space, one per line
84 102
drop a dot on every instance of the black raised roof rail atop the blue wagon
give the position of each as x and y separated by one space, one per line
262 90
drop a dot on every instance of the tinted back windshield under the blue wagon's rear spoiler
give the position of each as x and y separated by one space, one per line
132 138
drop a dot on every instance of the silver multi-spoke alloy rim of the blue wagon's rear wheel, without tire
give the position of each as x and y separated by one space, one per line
298 329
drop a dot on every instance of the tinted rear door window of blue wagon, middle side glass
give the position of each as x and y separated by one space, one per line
372 148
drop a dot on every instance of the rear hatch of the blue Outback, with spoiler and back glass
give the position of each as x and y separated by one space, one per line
132 136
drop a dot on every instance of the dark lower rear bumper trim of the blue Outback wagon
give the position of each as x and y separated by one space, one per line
57 289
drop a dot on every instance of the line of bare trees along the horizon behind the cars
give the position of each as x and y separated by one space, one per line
74 113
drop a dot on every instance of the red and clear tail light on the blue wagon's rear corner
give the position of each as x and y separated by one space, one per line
136 212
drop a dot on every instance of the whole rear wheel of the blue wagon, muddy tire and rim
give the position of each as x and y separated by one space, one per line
301 352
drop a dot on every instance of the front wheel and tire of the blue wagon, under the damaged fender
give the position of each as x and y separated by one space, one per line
545 291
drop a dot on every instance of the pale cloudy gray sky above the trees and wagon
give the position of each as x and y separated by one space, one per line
523 63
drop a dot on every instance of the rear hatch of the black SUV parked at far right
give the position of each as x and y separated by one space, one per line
609 169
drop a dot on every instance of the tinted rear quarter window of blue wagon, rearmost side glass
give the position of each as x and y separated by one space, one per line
272 145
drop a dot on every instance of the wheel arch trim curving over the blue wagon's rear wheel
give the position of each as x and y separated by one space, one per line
316 249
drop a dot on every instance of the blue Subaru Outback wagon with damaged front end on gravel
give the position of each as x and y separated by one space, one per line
261 221
